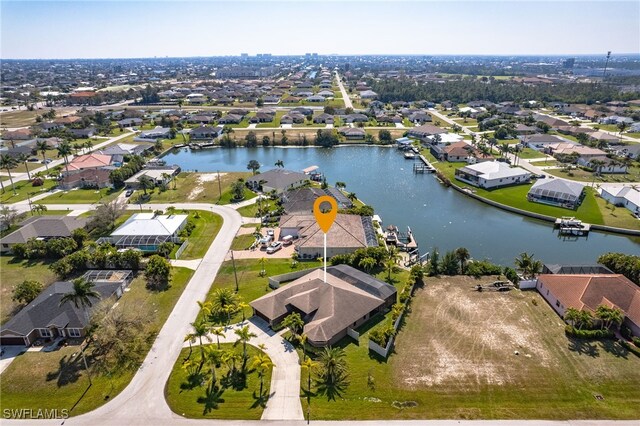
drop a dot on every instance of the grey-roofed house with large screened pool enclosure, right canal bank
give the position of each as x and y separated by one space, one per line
557 192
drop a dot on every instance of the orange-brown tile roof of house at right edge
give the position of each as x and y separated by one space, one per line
588 291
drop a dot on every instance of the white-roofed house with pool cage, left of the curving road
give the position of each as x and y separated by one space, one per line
146 231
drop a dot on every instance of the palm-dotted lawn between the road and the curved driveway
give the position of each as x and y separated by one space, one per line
235 400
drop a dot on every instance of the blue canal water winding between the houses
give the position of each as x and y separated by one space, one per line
439 217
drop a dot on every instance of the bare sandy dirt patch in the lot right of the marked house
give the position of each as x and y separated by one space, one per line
469 339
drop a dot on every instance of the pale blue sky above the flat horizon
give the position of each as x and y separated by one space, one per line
95 29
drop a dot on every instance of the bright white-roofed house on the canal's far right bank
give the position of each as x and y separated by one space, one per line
492 174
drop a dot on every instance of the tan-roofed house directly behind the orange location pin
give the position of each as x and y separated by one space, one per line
347 234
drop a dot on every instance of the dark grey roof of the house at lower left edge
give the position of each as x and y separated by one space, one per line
45 310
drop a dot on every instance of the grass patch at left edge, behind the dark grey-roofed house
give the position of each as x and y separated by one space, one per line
12 272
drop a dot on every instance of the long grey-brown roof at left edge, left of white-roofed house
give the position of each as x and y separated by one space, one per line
45 227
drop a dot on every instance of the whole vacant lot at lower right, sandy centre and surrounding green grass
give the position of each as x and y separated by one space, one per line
455 358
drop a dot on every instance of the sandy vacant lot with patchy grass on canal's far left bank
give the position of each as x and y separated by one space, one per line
198 187
